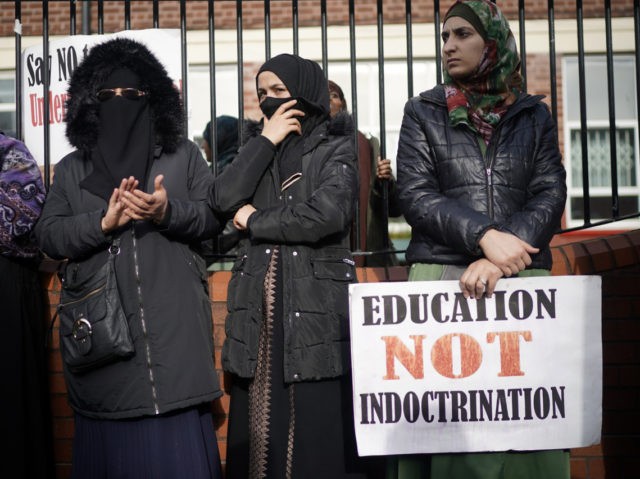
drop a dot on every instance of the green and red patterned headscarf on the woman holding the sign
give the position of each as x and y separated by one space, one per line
482 100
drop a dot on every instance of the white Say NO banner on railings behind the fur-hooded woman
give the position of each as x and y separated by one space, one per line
64 56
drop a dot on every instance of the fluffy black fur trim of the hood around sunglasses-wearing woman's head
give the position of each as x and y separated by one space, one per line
83 105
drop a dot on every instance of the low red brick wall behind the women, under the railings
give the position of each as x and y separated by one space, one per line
615 258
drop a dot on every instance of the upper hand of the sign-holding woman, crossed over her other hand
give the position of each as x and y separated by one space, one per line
506 251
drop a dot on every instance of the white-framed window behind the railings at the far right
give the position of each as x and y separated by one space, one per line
598 139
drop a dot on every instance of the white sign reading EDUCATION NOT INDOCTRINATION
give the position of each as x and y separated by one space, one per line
435 372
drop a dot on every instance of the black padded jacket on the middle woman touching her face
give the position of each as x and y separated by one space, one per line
310 220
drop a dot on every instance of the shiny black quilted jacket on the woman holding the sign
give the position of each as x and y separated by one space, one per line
451 194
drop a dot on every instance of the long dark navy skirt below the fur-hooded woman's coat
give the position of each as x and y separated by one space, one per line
175 445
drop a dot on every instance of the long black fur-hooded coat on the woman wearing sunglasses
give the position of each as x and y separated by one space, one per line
162 281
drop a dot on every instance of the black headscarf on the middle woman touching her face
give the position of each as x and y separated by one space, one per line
307 83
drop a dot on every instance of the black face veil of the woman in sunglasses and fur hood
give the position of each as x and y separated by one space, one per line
125 138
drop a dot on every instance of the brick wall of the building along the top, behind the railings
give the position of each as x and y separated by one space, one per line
281 13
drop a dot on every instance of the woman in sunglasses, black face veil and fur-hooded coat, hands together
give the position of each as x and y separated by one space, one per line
136 180
